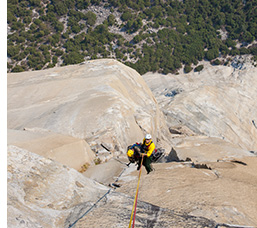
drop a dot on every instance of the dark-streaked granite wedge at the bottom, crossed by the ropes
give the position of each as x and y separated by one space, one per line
116 211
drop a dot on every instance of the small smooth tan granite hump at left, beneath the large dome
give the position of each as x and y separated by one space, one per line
65 149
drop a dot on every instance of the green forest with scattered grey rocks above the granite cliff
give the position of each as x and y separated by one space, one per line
153 35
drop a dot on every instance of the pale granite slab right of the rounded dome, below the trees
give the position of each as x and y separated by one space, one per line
219 101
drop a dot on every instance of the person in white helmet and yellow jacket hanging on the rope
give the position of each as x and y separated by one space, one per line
147 148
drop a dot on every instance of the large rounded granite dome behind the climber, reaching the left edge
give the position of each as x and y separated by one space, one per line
103 102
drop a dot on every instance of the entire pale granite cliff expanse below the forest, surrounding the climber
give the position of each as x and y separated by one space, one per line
63 118
